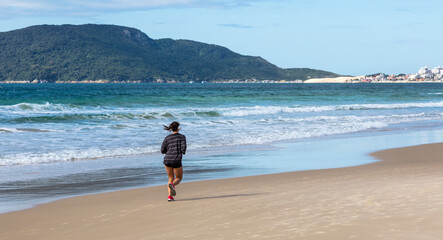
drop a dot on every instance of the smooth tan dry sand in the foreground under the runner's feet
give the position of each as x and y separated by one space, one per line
400 197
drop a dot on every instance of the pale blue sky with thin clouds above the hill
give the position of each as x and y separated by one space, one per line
347 37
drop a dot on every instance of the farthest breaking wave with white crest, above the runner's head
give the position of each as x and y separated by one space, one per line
30 111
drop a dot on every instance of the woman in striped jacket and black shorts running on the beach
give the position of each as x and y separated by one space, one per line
174 146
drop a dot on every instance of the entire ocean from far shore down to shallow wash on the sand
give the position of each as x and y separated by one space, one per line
61 140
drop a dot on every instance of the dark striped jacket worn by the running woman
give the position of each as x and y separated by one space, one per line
174 146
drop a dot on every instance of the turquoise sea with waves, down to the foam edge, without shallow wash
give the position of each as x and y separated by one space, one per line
63 122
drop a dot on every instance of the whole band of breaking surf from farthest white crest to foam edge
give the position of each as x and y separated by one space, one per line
70 130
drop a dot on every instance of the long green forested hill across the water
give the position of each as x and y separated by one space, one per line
115 53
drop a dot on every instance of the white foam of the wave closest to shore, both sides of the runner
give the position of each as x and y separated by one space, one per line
224 132
